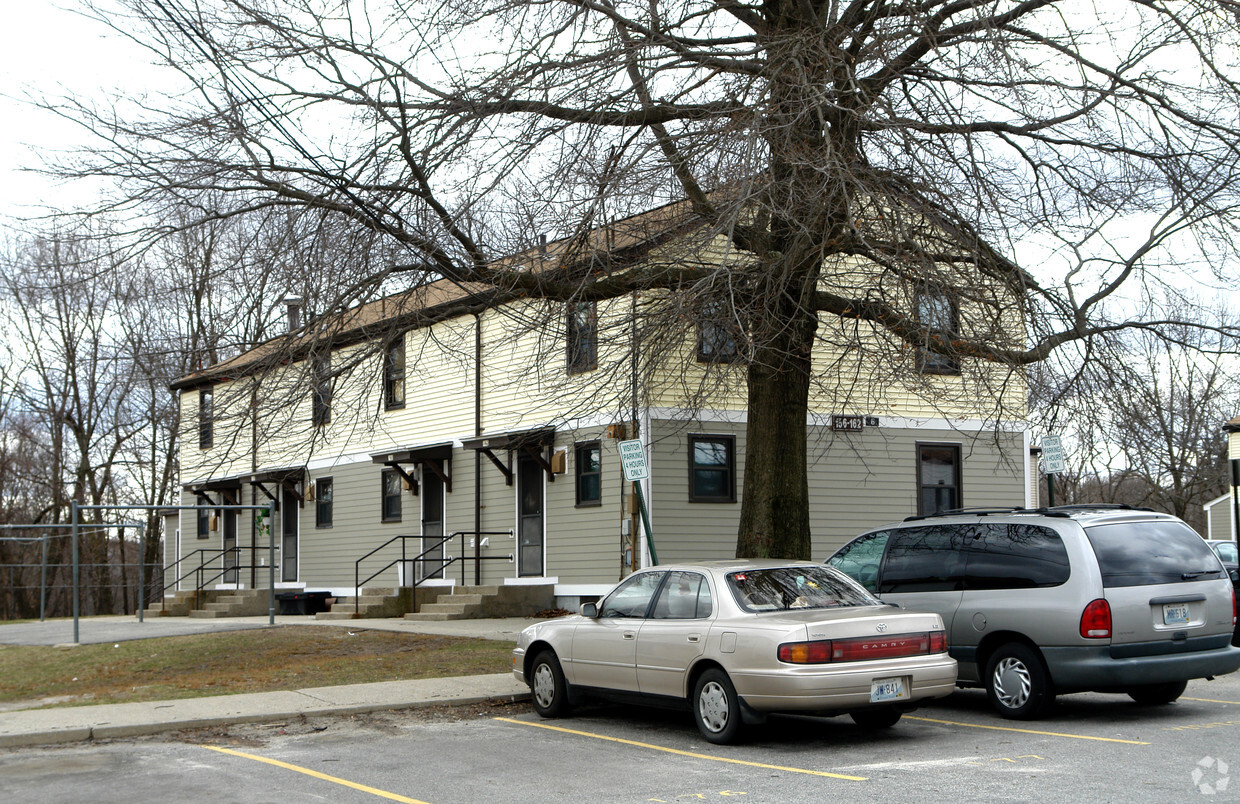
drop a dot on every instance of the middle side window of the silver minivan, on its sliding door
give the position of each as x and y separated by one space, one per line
929 559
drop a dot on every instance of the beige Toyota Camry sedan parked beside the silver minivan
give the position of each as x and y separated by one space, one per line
736 641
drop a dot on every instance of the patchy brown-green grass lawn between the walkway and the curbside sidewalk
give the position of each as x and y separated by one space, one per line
259 661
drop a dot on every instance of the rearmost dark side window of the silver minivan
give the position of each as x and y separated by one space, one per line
1016 558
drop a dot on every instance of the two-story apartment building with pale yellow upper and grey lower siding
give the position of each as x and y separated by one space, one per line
422 416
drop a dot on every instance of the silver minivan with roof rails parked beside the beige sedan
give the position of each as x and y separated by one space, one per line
1038 604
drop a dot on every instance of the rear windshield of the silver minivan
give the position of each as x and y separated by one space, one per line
1145 554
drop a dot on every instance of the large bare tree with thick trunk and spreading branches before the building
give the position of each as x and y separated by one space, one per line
1043 164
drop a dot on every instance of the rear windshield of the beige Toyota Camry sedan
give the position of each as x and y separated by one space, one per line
784 589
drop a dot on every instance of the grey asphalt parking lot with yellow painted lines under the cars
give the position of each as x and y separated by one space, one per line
1093 748
